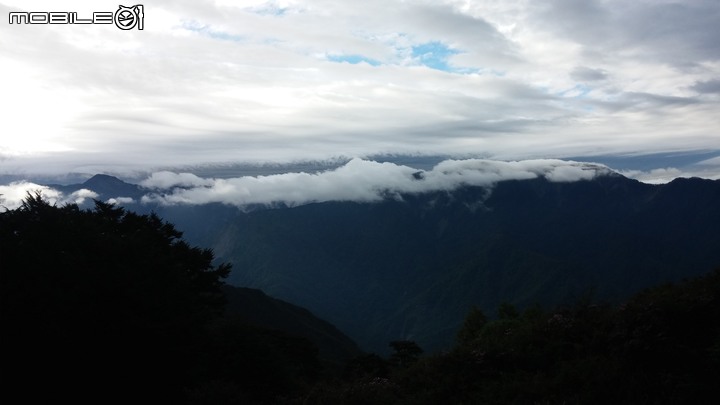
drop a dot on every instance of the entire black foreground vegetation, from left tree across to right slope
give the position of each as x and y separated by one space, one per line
108 306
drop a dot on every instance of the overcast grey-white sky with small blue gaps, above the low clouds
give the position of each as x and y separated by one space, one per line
223 82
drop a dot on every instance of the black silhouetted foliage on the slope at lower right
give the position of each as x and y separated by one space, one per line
660 347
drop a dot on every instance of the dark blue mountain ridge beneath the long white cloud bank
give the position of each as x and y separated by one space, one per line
411 268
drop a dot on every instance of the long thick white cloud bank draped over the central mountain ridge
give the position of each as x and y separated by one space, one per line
358 180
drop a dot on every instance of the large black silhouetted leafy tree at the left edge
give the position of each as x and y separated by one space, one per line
102 298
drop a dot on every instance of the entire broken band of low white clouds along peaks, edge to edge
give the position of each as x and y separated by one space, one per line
357 180
